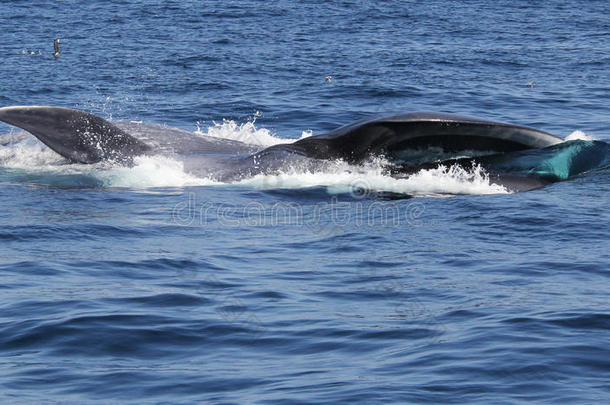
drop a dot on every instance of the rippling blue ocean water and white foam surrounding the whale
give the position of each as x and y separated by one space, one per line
149 284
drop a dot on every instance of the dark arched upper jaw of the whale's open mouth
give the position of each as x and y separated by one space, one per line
389 134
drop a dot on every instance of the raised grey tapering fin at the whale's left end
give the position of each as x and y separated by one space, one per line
76 135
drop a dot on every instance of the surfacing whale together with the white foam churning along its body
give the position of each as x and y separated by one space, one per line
409 154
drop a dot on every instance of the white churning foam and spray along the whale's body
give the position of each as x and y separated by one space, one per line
44 166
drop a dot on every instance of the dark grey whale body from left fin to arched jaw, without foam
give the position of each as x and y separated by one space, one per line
83 137
